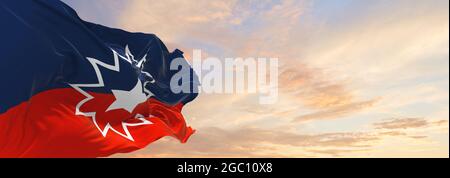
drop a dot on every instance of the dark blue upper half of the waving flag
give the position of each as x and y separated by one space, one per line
45 45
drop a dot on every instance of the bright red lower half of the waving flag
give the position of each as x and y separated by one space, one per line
48 126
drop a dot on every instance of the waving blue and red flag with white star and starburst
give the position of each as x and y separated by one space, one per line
71 88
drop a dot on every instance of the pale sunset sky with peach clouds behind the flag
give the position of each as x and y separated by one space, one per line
357 78
